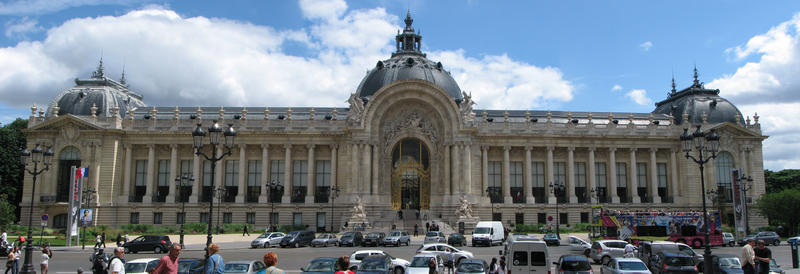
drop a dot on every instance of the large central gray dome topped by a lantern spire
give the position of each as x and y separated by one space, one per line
408 62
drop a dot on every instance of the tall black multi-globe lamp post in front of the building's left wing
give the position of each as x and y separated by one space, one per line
214 137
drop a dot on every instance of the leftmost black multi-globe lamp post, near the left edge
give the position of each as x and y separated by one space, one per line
34 156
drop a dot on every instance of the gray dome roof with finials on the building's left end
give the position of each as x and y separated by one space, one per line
98 91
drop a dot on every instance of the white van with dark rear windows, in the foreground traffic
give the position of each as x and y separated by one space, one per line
527 256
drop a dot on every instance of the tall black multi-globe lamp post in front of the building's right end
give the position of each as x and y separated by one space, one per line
703 143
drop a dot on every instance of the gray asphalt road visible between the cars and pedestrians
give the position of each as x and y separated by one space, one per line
67 260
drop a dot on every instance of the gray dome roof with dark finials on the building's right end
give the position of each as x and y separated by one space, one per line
697 101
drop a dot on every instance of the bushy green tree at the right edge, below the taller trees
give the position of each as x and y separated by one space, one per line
778 208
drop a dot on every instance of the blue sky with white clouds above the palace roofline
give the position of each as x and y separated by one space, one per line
618 56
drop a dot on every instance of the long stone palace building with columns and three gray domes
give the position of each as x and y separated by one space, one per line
409 140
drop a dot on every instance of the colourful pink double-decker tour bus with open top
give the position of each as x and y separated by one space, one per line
681 227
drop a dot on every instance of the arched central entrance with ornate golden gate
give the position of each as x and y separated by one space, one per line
410 175
